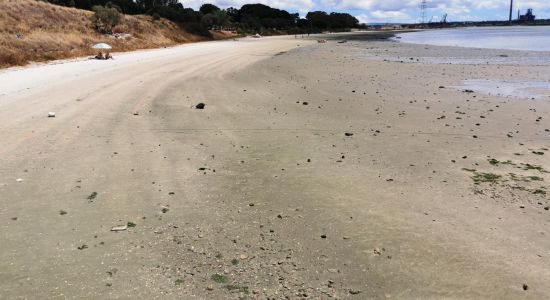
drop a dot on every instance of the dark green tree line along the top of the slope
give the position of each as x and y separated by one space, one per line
250 18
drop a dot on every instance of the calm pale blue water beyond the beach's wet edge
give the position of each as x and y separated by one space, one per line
536 38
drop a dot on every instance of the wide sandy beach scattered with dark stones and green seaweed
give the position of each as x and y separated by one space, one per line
360 170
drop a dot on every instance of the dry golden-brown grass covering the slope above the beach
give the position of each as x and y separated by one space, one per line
48 32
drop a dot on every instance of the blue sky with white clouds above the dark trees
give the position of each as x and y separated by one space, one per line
381 11
